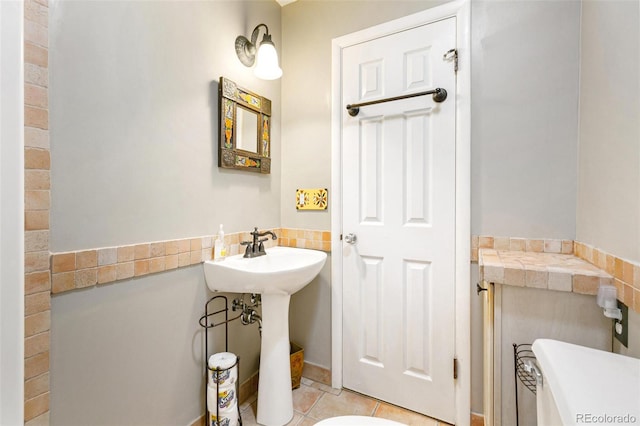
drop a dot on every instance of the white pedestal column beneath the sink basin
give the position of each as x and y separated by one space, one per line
275 398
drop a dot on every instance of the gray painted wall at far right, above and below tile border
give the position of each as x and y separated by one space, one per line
609 154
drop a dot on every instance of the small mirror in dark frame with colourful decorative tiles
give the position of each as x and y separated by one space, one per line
245 129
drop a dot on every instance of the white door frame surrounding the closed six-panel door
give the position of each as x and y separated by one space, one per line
461 10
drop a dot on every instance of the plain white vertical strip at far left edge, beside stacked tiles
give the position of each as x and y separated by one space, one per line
12 212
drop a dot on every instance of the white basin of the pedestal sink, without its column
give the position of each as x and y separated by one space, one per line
283 270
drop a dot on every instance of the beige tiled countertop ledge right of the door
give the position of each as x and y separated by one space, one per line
552 271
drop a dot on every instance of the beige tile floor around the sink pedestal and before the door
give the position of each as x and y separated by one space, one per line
314 401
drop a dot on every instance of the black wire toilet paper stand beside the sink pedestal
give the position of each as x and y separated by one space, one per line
208 321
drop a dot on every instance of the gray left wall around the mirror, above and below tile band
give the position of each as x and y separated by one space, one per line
134 121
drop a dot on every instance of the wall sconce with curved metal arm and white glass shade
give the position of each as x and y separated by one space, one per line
265 58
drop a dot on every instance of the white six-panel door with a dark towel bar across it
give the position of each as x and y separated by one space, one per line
398 183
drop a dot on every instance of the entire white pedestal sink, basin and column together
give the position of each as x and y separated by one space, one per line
276 276
